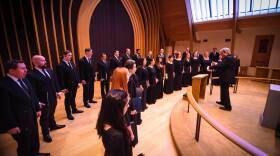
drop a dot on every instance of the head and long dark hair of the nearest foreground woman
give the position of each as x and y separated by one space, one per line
113 108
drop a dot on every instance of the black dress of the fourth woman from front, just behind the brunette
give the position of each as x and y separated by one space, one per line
143 77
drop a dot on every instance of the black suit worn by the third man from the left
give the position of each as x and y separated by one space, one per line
68 78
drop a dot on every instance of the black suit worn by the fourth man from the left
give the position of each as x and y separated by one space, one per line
87 73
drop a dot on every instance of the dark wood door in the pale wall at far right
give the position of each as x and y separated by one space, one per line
262 50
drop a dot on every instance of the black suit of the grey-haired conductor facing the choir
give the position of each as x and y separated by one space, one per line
226 72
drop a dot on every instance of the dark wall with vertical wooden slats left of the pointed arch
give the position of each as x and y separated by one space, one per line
30 27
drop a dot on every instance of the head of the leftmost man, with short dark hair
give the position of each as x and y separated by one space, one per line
16 68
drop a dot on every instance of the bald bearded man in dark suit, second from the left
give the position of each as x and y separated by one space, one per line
45 85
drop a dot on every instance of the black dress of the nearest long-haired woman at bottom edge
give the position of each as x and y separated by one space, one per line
115 143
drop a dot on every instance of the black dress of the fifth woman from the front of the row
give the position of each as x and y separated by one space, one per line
151 90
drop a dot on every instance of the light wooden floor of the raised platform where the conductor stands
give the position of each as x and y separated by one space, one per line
247 106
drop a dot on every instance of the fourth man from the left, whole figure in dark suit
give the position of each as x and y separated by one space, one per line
87 75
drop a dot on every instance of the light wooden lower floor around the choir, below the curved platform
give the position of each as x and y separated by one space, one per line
79 138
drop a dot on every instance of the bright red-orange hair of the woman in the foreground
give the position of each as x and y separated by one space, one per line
120 78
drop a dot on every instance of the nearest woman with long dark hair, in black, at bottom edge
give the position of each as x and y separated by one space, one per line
111 124
